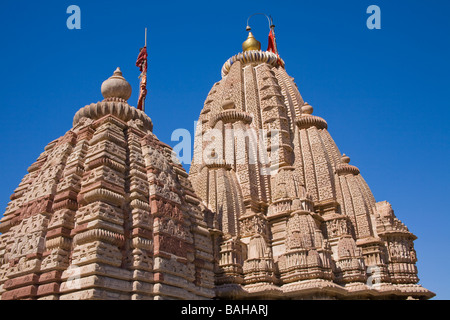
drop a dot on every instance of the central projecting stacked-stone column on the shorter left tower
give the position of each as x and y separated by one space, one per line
99 221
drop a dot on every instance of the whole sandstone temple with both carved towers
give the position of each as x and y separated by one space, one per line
106 211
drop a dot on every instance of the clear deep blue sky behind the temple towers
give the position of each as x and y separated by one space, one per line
384 93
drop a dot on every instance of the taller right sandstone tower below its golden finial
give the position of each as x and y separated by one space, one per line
303 224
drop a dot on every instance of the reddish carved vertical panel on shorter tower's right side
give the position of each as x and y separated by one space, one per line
174 271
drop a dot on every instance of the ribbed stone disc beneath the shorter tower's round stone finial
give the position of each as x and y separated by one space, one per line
116 107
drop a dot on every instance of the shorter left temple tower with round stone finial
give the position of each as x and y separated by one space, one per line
104 213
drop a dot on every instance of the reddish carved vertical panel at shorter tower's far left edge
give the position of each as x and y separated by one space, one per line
25 250
